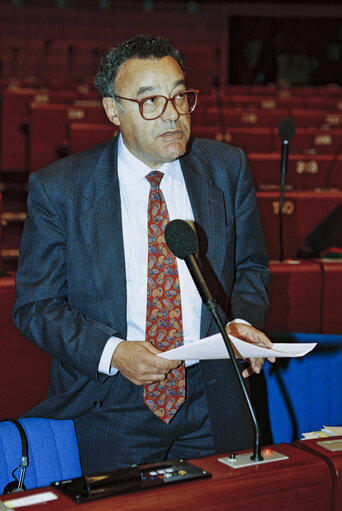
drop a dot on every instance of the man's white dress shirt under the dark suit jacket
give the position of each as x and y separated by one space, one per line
134 193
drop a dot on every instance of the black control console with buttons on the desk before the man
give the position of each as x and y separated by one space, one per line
130 479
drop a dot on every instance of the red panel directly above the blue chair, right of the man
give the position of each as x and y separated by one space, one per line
305 296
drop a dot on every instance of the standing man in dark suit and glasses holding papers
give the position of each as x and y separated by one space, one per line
81 279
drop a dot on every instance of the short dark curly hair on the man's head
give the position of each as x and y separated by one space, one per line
141 47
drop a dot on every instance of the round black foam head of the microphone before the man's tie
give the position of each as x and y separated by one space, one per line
180 238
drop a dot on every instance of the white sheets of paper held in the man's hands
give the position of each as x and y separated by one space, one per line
214 348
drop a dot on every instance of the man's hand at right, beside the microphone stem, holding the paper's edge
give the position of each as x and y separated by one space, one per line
250 334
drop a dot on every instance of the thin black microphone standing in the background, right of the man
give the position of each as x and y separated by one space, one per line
286 130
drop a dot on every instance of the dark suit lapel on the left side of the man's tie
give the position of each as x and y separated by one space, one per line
101 226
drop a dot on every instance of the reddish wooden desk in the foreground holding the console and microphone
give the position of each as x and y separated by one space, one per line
301 483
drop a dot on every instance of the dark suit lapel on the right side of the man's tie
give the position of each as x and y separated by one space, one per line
209 209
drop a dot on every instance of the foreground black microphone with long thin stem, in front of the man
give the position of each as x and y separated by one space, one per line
181 239
